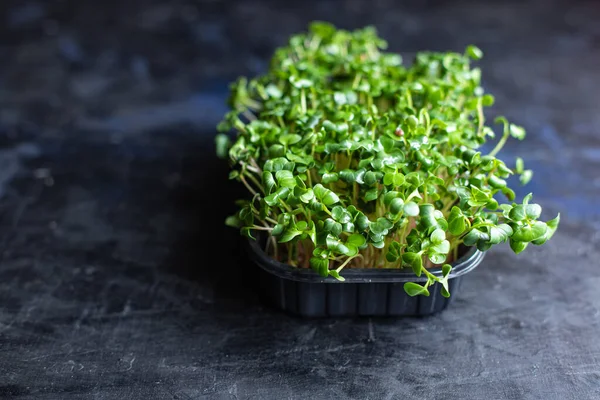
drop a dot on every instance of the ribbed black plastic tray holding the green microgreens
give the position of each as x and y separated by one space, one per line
365 292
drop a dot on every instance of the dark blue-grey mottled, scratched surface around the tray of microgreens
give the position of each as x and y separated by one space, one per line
111 282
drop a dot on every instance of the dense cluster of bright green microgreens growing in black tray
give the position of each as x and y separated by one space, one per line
353 159
